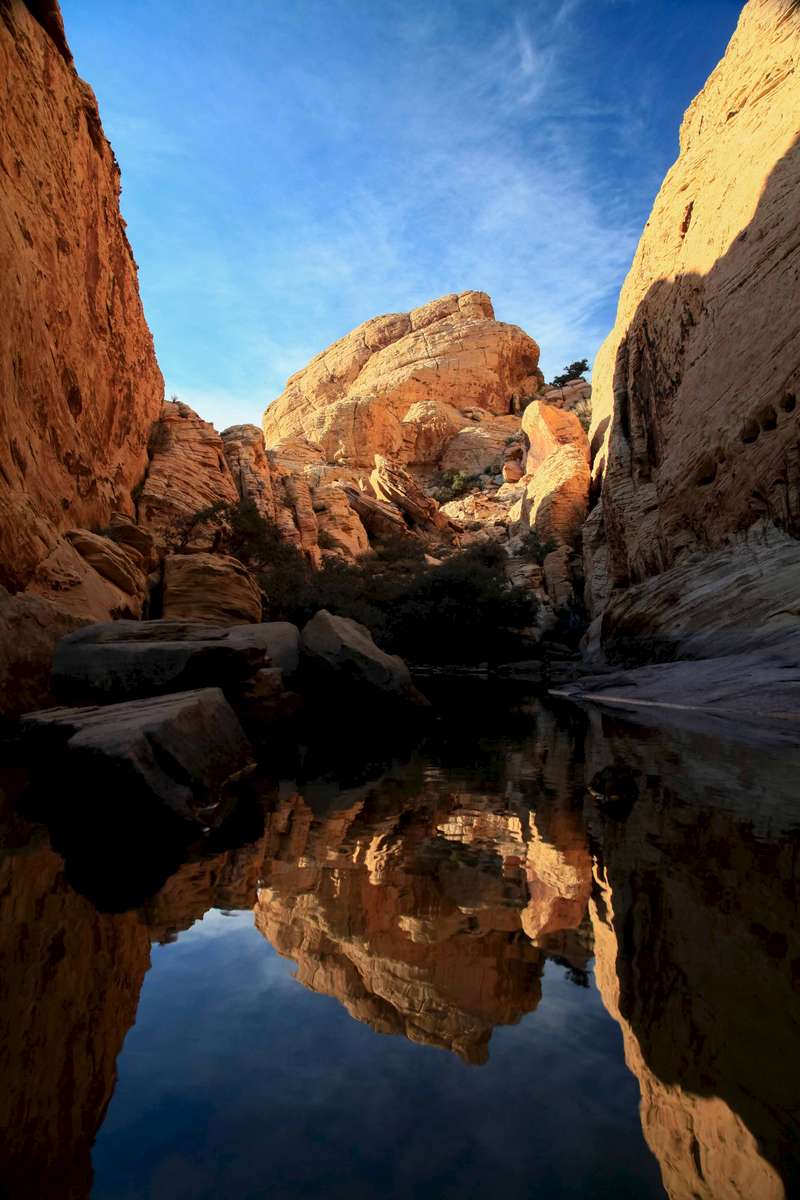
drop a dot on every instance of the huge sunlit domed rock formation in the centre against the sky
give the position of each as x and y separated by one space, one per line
400 386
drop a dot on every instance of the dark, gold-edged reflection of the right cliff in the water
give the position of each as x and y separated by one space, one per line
697 952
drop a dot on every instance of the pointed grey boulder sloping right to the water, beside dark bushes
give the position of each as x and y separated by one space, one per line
342 655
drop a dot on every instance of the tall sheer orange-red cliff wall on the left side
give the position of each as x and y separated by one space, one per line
80 383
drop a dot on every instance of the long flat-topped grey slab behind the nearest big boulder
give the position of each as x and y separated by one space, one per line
128 661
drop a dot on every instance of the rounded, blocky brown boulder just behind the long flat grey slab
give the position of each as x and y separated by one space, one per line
216 589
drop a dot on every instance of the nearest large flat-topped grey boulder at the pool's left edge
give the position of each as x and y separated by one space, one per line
179 751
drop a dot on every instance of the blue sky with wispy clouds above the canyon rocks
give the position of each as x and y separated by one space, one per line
294 167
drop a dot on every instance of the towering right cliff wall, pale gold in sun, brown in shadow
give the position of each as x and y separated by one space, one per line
696 429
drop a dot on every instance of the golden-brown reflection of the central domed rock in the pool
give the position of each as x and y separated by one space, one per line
416 915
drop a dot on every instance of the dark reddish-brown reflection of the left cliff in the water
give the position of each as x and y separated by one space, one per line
69 994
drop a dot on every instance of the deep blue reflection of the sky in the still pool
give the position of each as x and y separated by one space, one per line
236 1082
